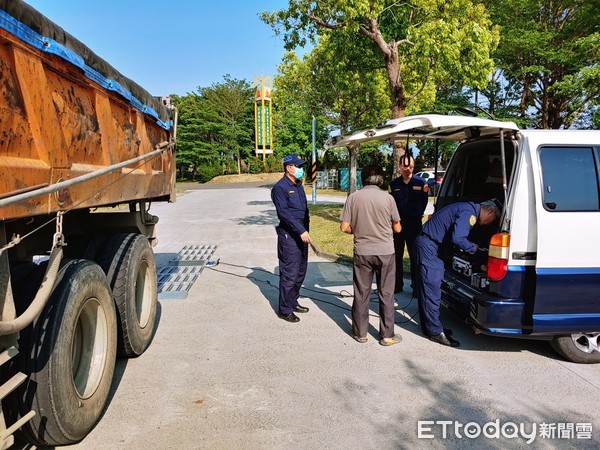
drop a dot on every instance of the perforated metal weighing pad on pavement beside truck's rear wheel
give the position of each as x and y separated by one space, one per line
177 278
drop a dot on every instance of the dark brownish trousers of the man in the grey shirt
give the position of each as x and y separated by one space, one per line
384 269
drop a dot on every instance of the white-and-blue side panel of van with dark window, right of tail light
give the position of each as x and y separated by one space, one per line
566 184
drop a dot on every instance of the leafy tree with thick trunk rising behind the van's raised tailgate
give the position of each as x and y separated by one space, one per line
421 44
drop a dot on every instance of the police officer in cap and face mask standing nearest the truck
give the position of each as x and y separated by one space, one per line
292 236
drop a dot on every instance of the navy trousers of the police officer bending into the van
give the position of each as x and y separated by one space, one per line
430 272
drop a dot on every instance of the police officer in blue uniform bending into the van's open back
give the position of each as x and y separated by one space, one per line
448 226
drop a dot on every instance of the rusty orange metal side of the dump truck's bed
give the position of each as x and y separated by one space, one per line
56 124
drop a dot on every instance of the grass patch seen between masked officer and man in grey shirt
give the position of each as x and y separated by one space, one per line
325 231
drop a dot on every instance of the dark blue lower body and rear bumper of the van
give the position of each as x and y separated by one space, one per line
534 302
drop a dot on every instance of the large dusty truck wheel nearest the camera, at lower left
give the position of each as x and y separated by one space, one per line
69 354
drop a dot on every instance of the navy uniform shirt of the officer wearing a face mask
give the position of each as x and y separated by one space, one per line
290 201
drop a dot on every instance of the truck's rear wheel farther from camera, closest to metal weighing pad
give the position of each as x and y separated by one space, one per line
128 261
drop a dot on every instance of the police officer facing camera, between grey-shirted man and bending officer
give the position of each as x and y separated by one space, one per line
411 195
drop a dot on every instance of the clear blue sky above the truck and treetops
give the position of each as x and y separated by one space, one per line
174 47
